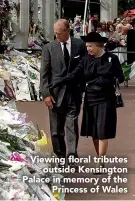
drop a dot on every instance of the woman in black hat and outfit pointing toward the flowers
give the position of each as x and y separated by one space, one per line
97 72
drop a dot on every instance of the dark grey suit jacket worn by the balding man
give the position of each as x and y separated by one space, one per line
53 68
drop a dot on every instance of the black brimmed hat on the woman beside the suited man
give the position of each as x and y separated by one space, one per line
94 37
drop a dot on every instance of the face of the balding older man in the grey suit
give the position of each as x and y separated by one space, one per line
61 32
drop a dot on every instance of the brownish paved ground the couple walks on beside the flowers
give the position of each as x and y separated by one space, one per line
122 146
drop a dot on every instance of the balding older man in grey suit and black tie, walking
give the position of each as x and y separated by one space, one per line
59 58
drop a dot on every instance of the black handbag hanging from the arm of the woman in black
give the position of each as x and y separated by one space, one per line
119 99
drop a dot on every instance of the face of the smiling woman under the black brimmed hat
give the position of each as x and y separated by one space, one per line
92 48
